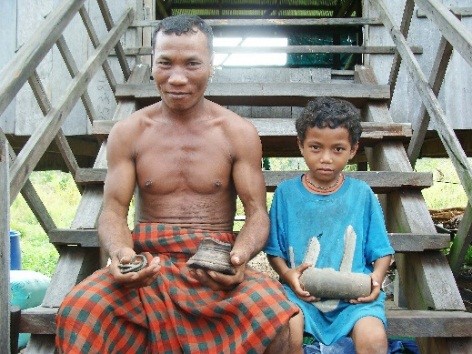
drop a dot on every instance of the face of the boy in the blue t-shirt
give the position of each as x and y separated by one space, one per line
326 151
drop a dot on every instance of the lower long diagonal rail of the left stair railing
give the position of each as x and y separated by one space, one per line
48 128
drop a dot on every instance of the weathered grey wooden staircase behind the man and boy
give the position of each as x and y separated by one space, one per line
428 305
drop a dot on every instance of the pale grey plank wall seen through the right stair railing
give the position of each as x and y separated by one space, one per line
455 96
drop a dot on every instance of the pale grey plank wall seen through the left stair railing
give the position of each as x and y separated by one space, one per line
53 72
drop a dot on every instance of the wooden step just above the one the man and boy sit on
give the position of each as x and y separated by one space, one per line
401 242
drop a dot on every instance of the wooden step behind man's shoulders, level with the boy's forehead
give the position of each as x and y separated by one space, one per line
279 137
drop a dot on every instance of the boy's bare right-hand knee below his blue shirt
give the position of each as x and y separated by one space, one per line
369 336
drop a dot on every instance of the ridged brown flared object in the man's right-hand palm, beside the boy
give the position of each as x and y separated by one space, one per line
213 255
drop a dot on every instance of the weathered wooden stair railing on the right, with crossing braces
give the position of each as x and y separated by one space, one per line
455 36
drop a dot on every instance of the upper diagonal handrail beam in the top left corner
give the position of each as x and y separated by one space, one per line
21 66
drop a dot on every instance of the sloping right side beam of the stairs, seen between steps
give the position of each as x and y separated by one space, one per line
425 277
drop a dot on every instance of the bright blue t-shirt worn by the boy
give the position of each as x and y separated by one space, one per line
299 218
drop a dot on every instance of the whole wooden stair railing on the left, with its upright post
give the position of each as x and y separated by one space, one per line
15 169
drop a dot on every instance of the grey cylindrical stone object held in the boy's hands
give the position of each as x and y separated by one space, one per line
328 283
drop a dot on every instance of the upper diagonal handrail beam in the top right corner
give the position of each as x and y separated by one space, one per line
450 26
